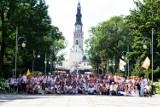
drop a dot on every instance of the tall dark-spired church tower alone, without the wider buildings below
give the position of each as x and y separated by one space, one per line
76 54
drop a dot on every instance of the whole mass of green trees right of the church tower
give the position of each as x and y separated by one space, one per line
112 37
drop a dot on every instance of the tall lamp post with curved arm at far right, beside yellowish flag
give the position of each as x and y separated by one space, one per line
151 48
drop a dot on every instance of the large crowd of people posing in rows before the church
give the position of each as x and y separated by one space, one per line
64 83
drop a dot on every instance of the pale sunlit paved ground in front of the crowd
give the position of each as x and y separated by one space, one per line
77 101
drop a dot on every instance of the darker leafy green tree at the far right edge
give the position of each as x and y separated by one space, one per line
142 20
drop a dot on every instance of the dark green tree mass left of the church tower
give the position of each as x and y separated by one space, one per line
33 22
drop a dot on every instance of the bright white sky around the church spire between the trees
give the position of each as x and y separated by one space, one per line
63 14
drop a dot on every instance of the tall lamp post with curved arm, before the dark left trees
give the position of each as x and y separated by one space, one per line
16 47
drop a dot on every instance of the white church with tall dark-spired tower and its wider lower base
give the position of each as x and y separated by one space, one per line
77 59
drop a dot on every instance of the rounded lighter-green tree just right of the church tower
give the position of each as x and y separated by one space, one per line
108 40
